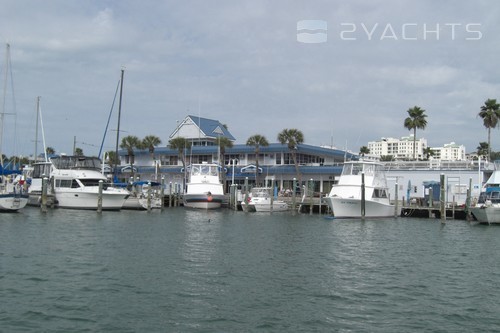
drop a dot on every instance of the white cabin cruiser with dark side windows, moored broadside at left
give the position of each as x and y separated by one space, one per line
76 184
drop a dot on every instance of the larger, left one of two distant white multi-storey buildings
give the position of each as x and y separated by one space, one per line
399 149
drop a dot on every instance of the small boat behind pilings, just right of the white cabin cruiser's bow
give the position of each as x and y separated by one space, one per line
139 193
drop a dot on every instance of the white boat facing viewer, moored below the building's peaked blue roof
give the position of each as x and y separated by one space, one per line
204 189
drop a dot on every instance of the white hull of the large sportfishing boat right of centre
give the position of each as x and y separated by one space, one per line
351 208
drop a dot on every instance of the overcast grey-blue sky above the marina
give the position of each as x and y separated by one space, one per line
246 65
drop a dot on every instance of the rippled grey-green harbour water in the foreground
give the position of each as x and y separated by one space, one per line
183 270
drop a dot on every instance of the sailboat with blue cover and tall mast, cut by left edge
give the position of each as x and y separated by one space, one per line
13 195
